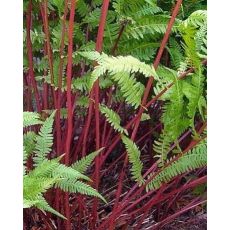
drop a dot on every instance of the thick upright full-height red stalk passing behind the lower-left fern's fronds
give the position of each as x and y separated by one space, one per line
69 104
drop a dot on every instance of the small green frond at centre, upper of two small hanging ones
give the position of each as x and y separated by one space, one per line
113 118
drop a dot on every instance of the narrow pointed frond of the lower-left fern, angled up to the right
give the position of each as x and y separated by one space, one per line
82 165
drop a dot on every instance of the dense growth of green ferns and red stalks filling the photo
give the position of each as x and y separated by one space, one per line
124 81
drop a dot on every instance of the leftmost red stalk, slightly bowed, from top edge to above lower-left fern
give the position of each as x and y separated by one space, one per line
30 55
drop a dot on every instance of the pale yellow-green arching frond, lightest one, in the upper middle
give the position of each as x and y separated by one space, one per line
121 68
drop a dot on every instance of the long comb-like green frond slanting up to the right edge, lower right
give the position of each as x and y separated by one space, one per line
194 159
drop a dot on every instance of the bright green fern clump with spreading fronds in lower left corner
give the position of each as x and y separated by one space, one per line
47 173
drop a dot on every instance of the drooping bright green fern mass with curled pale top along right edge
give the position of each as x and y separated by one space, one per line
185 98
